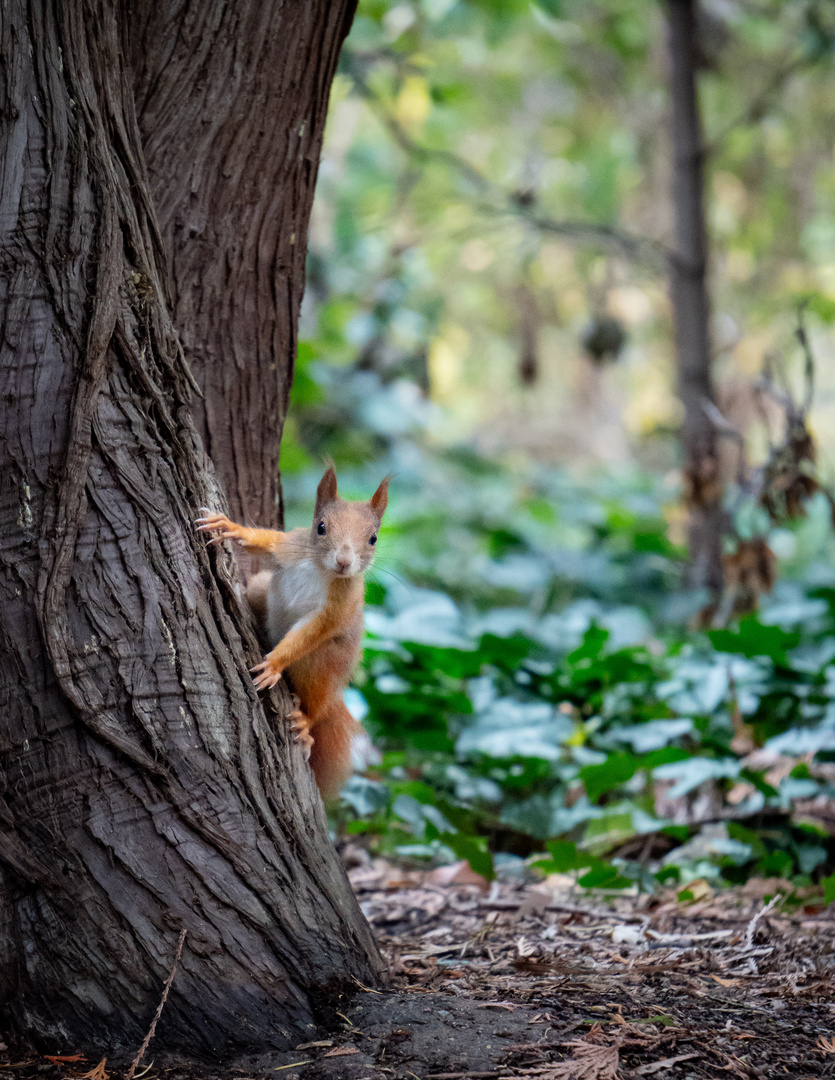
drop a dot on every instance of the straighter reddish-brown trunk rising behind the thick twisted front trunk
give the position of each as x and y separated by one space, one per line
232 103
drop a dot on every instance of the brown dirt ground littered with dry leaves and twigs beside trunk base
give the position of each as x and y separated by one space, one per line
530 980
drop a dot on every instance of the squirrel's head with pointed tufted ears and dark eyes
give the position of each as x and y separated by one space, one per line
345 534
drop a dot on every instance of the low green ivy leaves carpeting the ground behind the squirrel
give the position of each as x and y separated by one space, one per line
527 709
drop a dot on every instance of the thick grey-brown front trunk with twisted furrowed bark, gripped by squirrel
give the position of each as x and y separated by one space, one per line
144 789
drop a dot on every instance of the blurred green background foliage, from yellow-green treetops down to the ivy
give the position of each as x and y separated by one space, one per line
531 678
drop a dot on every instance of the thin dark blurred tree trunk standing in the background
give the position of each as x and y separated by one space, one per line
689 276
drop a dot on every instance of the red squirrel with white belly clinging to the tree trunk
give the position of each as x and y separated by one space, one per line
312 605
